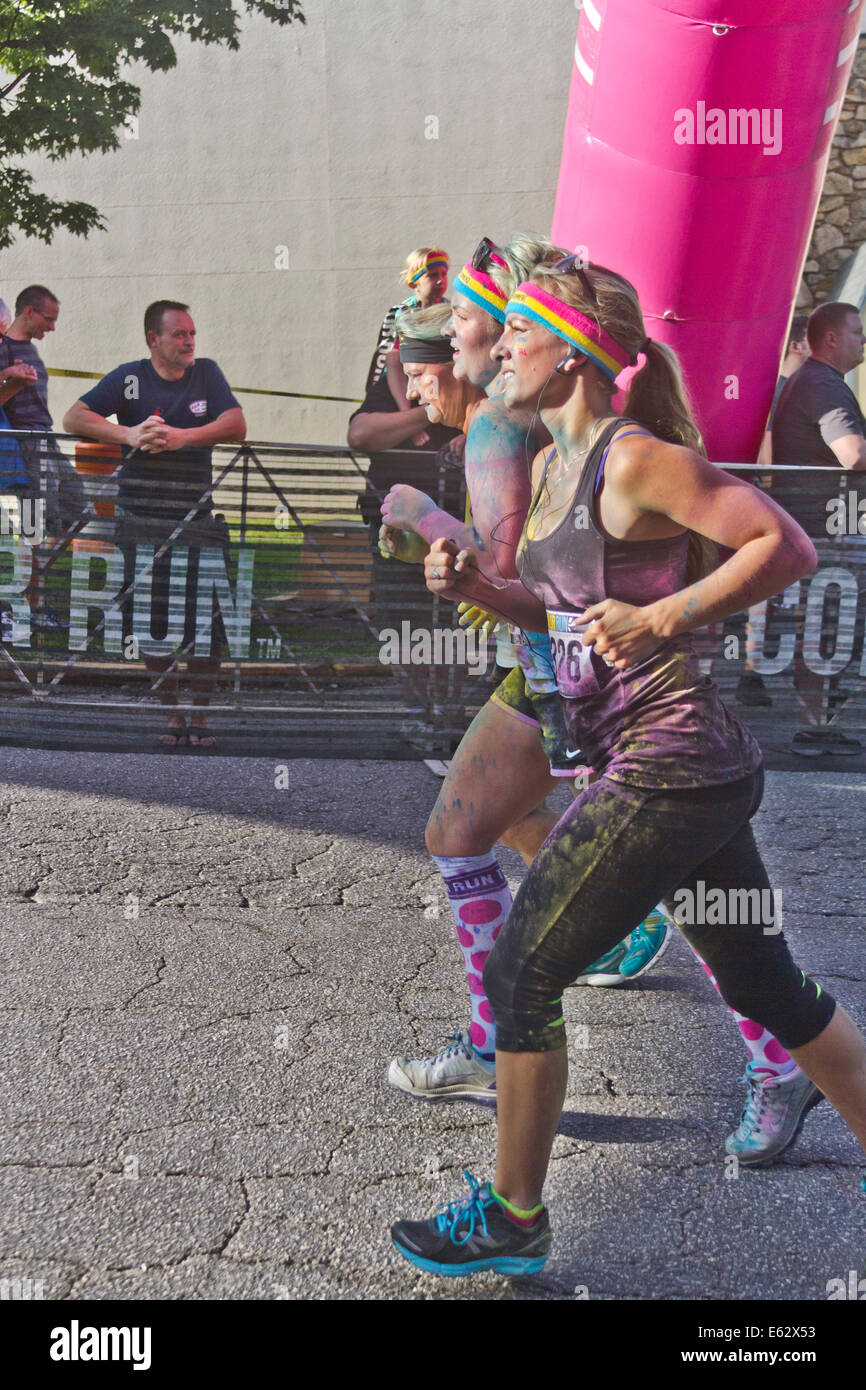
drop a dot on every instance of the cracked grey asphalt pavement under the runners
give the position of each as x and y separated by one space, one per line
205 978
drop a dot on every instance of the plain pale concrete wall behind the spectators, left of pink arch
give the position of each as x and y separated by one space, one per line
316 140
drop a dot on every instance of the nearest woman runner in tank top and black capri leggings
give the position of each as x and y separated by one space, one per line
679 778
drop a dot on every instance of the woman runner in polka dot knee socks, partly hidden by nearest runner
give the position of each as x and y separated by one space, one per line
515 750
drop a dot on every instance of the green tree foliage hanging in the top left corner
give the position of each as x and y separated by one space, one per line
62 85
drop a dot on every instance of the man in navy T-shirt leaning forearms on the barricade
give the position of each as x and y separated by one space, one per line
172 408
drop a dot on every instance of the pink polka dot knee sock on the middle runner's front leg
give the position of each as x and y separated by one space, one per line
480 900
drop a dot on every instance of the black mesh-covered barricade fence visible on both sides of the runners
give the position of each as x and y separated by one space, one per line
254 597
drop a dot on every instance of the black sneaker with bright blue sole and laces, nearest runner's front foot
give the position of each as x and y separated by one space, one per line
473 1235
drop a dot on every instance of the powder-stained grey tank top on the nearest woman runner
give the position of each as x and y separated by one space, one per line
661 723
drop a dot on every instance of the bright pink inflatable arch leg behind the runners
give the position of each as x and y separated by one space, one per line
696 148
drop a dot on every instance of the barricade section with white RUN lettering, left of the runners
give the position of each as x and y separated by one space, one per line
323 647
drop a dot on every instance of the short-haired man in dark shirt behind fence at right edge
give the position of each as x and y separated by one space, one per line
819 425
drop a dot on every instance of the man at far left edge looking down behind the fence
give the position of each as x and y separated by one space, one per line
24 395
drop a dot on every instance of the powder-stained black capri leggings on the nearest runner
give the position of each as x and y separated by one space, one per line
616 853
